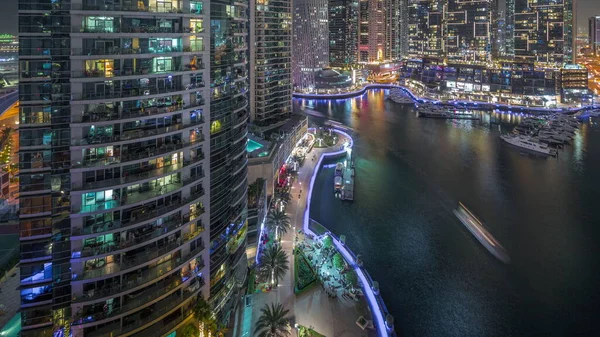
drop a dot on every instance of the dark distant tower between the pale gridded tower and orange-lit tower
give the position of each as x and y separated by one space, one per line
343 32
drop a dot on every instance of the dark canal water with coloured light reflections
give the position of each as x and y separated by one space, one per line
435 277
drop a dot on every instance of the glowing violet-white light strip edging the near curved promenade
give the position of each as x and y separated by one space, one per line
367 290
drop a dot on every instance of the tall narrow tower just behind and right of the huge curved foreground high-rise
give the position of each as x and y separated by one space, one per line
270 61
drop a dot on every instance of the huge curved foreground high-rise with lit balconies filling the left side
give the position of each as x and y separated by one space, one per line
132 163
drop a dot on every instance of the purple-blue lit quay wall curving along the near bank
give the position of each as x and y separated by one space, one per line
381 318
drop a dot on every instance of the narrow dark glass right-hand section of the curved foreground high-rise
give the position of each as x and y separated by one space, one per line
229 112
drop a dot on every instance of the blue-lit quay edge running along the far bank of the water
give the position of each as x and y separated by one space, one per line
473 104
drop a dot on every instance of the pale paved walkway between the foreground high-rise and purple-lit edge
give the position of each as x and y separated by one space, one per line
332 317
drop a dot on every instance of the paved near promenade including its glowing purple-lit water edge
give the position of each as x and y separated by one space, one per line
332 317
